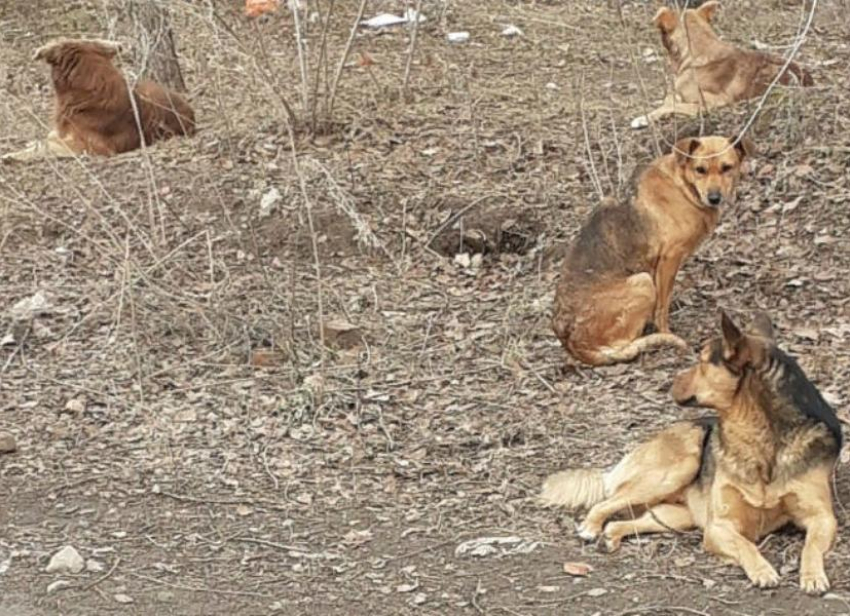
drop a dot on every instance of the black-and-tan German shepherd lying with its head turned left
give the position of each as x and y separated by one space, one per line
764 461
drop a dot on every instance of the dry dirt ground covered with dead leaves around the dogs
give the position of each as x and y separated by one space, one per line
177 417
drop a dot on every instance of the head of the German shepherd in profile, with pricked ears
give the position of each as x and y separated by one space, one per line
723 361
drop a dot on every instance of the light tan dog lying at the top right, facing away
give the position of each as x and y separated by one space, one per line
709 72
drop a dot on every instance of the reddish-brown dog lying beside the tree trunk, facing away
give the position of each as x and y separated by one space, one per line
94 110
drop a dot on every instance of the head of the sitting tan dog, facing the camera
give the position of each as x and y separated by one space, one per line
711 166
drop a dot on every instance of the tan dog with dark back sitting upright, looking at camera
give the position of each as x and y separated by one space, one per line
618 275
